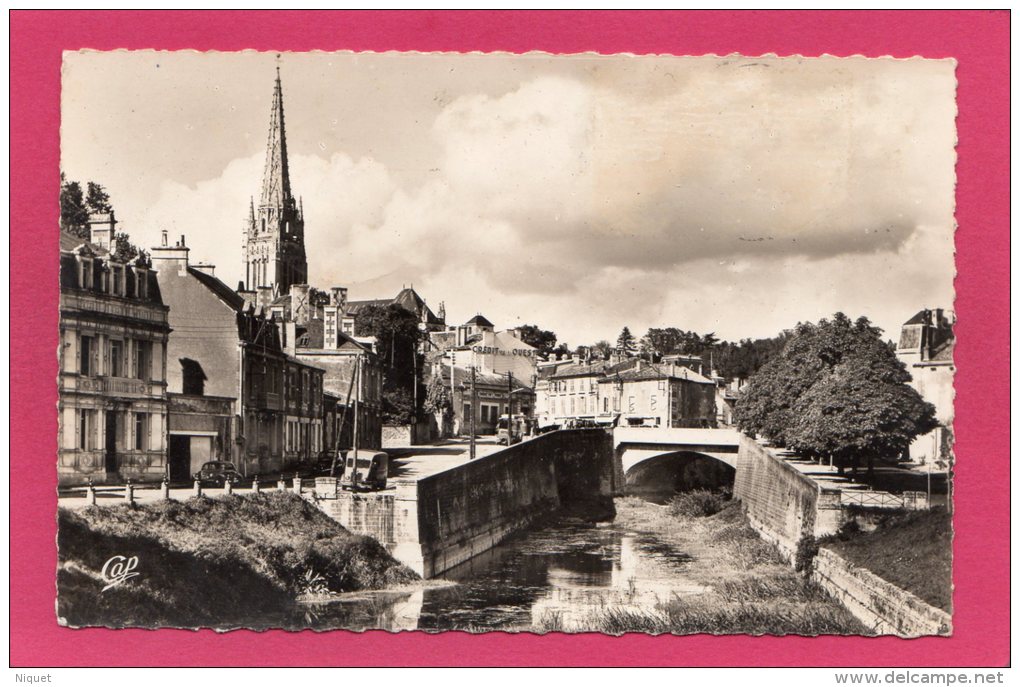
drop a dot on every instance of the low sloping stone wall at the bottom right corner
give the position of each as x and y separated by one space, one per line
881 606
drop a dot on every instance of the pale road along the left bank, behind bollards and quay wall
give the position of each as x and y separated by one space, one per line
405 463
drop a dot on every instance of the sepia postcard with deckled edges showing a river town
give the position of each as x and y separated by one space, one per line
506 343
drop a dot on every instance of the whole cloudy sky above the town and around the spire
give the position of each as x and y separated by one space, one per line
583 194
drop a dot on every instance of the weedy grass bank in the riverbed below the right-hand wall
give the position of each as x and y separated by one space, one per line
746 588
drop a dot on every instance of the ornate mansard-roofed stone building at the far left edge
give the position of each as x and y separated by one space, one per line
113 404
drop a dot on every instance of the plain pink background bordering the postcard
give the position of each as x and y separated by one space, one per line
980 41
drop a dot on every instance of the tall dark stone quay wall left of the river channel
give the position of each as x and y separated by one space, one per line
445 519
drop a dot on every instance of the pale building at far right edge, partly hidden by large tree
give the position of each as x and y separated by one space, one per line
926 347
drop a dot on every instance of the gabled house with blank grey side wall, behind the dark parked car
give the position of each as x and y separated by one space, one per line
228 353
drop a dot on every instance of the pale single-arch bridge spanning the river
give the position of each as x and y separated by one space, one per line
656 459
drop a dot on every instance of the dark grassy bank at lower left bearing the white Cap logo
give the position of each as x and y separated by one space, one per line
224 562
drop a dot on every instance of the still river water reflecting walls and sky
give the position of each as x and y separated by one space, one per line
552 578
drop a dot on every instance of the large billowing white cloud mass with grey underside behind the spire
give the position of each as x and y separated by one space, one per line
742 201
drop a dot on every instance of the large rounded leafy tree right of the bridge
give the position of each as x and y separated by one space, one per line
835 390
